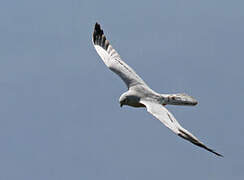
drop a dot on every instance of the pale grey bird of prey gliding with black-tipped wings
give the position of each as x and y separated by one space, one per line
139 94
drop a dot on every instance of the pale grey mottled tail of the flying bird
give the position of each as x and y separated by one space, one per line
179 99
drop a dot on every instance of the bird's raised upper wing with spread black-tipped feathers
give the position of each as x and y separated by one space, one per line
112 59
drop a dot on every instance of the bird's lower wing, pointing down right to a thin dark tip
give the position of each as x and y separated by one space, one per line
161 113
